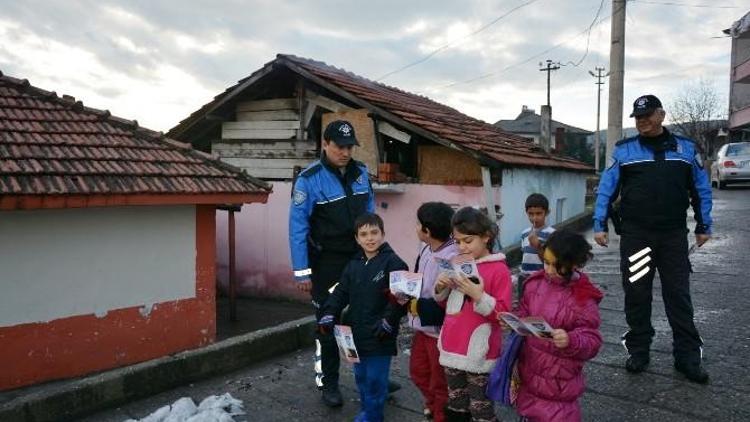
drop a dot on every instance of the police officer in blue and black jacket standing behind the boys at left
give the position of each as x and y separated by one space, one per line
326 199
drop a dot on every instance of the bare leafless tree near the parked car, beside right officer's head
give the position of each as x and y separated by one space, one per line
697 112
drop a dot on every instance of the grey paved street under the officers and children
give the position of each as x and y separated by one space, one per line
282 389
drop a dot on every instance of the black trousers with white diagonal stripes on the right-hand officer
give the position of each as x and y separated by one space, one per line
666 252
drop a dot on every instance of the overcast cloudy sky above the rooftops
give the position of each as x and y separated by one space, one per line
158 61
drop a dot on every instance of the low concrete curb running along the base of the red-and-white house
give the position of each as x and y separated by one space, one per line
84 396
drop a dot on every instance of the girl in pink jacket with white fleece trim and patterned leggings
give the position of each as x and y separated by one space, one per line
470 340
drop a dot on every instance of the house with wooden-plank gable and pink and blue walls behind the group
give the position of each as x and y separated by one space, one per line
416 150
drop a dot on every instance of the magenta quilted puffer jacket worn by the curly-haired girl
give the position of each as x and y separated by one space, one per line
552 378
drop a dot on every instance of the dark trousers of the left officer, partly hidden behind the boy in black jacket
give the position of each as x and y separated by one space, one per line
326 271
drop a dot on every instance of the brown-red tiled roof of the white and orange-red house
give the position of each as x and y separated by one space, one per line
52 145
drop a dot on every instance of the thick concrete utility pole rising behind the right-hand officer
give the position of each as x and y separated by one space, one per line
617 75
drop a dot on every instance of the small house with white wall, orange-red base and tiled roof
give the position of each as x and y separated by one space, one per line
107 238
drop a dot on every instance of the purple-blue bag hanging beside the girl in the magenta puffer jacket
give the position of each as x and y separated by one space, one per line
503 383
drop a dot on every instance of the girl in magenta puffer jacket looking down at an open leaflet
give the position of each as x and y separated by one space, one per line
551 370
